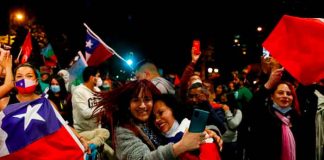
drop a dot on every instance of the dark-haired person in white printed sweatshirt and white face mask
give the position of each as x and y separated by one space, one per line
84 100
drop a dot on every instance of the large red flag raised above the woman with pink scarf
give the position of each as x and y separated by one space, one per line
297 43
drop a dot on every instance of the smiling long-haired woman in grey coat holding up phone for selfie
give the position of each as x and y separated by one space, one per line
128 111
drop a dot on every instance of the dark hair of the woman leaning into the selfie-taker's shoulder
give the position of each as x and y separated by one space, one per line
178 109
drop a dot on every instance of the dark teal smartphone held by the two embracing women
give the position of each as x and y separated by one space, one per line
198 120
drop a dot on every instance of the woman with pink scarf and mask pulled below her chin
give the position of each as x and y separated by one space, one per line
276 124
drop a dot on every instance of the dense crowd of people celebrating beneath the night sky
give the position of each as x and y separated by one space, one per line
148 118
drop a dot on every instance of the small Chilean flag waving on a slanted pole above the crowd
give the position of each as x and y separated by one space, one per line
96 52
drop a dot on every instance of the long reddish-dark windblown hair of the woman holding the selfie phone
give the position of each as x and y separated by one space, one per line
116 103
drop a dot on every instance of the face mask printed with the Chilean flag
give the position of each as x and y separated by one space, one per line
26 86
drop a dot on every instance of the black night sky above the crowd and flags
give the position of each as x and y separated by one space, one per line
163 31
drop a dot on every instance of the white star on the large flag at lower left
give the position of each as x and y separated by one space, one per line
31 114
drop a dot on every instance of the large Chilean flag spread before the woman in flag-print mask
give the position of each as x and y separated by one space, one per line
35 130
